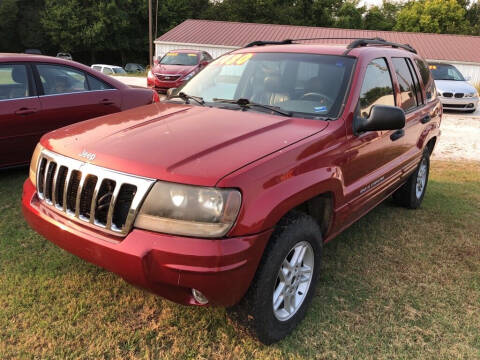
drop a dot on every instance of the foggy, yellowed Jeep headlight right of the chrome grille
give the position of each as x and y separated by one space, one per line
189 210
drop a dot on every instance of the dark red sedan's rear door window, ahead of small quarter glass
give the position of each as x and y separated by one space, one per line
58 79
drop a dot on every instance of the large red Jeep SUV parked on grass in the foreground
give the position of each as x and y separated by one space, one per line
227 191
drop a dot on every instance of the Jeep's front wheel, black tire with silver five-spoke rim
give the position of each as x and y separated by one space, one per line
295 234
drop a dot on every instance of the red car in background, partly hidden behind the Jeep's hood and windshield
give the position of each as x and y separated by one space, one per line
175 68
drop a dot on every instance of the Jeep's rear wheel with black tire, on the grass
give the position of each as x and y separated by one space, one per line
412 192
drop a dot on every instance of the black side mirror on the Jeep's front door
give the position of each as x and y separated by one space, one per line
381 118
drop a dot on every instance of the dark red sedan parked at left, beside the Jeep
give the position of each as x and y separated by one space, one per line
39 94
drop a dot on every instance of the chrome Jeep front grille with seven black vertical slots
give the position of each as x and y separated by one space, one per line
93 195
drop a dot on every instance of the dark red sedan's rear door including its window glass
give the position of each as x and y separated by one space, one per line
69 95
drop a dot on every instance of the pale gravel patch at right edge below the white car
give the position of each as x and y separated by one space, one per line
460 138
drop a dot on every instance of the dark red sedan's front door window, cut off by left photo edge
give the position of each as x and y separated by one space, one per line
13 82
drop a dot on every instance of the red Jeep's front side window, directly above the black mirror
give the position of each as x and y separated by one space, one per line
377 88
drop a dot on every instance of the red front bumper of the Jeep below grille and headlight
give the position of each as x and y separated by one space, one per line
169 266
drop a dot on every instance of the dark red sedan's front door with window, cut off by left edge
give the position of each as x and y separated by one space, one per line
19 109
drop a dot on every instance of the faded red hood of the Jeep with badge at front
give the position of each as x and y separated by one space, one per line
180 143
